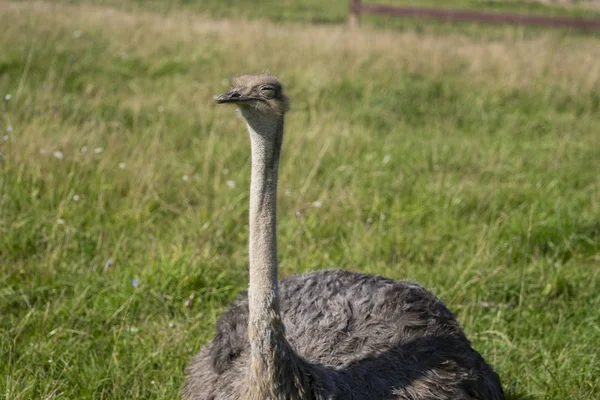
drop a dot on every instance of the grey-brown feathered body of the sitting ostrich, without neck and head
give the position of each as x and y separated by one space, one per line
370 338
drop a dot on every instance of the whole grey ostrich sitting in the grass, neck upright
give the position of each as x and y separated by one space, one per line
330 334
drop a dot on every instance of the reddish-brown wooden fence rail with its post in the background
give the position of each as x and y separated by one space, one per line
357 8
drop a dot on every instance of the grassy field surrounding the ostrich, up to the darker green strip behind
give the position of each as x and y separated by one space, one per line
468 163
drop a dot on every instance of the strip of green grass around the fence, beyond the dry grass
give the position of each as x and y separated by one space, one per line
318 12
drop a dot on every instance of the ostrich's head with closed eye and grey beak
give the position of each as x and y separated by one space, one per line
258 95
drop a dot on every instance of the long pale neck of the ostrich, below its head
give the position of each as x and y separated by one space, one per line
276 372
